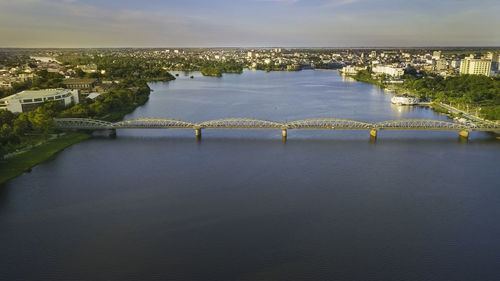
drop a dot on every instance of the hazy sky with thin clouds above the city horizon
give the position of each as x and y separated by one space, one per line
249 23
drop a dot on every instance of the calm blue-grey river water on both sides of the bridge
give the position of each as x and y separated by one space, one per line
243 205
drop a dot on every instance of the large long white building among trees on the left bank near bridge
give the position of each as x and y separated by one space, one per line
29 100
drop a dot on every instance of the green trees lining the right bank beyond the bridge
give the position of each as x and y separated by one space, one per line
476 94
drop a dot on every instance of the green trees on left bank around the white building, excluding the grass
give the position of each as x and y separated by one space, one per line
18 130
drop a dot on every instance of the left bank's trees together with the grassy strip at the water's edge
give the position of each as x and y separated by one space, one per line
19 131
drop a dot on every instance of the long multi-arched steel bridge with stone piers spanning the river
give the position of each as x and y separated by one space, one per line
248 123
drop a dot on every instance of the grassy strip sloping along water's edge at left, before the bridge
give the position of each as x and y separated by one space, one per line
17 165
